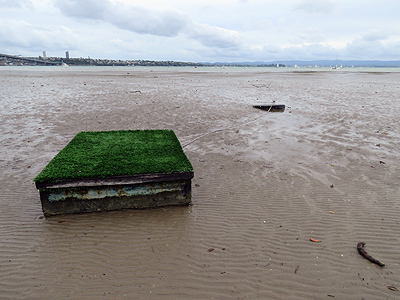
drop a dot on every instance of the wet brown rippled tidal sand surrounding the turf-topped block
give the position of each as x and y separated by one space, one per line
327 169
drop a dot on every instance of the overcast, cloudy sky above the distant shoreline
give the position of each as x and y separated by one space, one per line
203 30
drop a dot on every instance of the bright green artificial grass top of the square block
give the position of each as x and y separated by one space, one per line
101 154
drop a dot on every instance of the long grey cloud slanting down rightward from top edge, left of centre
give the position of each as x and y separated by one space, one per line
143 20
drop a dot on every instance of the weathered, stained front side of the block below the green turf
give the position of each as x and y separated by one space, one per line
81 199
